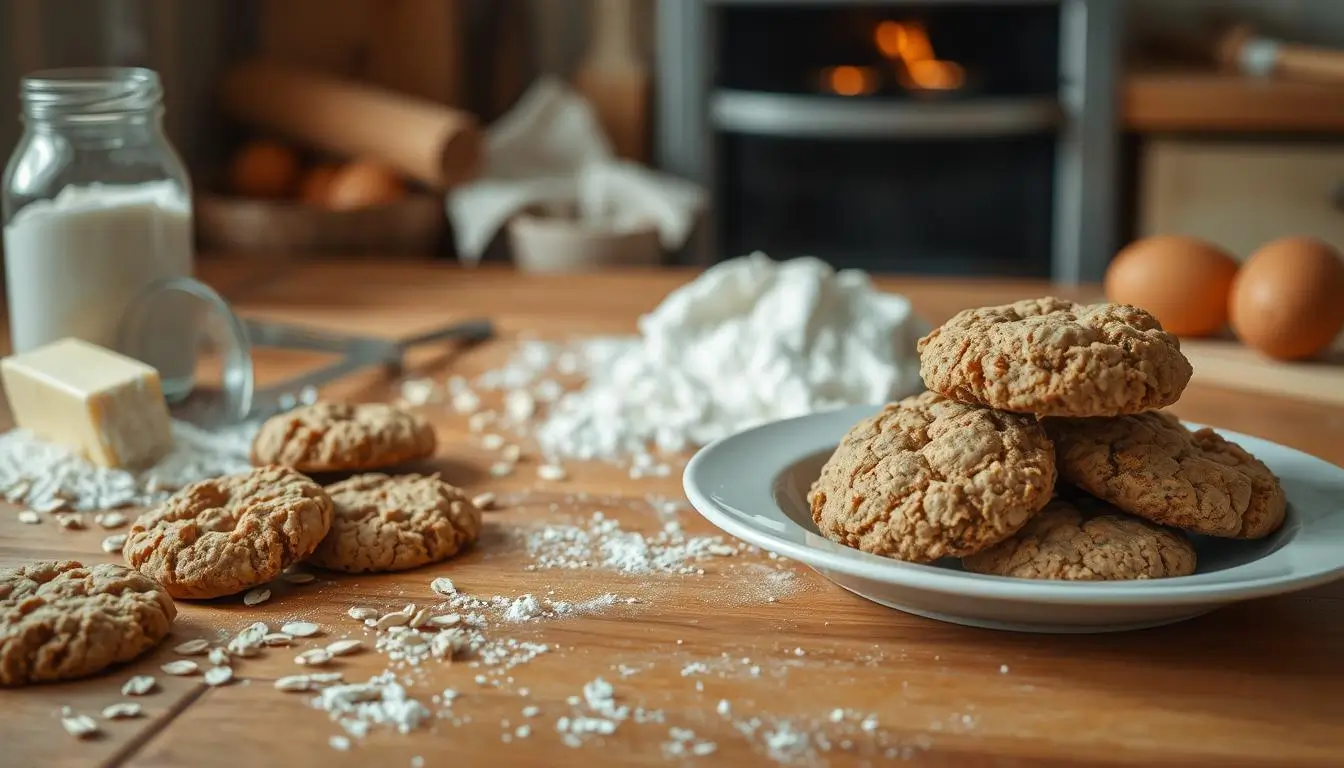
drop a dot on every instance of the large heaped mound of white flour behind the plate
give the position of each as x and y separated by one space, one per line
751 341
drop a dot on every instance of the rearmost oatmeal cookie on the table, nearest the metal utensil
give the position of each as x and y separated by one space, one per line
343 438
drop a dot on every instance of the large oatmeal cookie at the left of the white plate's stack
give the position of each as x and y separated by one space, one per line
929 478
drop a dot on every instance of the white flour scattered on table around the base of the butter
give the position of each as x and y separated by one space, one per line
44 475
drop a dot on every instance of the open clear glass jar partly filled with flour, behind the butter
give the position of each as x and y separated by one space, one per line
97 206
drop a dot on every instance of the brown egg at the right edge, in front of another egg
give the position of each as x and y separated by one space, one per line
1288 301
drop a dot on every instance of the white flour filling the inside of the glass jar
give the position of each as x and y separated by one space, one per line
75 263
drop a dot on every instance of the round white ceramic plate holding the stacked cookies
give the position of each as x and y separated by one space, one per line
755 486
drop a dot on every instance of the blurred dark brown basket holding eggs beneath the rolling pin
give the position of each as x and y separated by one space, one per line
240 225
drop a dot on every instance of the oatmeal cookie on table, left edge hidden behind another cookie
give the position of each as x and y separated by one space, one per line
384 524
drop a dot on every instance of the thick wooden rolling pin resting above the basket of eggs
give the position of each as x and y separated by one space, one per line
428 142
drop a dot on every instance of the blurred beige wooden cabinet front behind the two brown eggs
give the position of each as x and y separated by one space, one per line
1243 194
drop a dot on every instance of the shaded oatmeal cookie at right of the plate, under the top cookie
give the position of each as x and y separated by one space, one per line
1151 466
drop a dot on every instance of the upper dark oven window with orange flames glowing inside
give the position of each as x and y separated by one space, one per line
893 50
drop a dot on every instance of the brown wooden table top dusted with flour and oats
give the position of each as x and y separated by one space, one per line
1256 684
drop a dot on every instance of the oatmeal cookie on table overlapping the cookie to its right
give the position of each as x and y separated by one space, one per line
224 536
